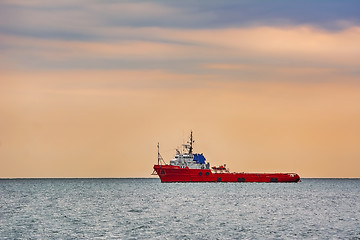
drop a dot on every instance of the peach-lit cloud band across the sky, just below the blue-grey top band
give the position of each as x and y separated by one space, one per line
293 52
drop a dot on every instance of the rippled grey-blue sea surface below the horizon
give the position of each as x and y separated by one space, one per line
148 209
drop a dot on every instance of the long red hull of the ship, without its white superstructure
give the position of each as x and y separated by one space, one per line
169 173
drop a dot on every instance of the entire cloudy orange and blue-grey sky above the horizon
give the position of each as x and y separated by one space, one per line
88 88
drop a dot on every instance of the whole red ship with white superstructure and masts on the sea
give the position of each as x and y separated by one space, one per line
192 167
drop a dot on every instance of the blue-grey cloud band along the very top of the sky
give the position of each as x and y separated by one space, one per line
81 20
